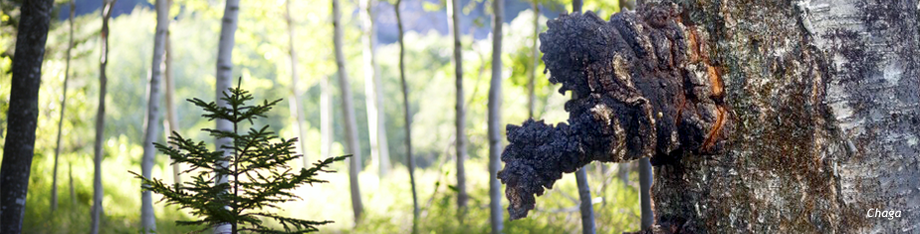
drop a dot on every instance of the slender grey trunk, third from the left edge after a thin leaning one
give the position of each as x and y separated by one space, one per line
100 120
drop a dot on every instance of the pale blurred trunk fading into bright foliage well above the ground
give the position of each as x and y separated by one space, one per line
379 156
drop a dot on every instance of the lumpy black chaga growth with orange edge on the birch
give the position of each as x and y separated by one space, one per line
642 86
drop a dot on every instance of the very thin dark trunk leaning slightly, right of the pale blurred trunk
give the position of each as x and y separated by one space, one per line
408 117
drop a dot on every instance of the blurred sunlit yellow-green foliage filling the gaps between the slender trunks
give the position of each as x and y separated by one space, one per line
261 57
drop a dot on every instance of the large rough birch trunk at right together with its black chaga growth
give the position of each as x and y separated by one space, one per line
819 98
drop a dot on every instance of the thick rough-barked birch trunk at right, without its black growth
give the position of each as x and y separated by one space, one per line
826 96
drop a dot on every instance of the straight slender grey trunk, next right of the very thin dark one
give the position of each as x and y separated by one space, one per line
460 120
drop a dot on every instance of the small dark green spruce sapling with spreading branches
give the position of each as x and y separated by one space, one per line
257 166
